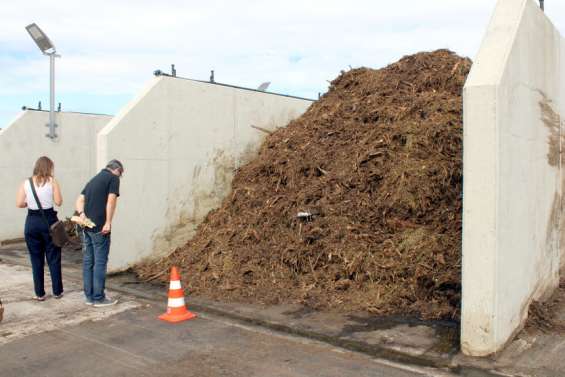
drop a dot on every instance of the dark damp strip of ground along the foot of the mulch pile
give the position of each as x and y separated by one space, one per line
399 339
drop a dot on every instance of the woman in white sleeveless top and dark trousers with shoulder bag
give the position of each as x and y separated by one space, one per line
36 232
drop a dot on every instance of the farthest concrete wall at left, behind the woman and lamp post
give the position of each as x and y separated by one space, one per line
24 140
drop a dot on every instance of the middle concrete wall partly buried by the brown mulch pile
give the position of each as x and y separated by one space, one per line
180 141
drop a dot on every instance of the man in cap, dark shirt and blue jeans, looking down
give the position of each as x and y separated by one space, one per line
97 202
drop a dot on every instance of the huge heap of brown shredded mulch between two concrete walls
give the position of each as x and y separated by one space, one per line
356 205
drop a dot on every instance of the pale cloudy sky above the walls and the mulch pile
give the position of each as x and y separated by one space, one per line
110 49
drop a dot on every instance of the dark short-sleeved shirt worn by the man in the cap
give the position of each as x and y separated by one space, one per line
96 194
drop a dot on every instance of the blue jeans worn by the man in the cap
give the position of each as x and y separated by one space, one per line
96 247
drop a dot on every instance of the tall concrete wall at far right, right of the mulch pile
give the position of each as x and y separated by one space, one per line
512 174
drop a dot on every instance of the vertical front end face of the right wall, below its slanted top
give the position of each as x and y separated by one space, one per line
479 221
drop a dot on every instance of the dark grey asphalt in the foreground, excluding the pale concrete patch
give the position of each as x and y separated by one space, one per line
135 343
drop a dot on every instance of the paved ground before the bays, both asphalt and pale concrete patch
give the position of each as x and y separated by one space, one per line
66 338
